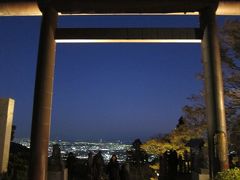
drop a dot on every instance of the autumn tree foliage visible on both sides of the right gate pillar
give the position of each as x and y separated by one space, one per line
194 114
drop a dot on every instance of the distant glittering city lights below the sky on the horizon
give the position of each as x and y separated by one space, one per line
81 149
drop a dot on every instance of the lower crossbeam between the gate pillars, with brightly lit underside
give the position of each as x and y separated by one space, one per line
125 35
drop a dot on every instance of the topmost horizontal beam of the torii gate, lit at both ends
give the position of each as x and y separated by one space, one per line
114 7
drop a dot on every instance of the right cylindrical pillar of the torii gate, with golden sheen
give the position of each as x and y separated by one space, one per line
214 94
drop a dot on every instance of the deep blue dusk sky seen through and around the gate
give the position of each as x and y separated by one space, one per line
108 91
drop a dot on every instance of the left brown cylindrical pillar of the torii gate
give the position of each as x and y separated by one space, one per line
42 106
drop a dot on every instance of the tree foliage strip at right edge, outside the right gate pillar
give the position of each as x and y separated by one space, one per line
231 68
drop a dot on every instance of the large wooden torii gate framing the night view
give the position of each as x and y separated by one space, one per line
206 34
